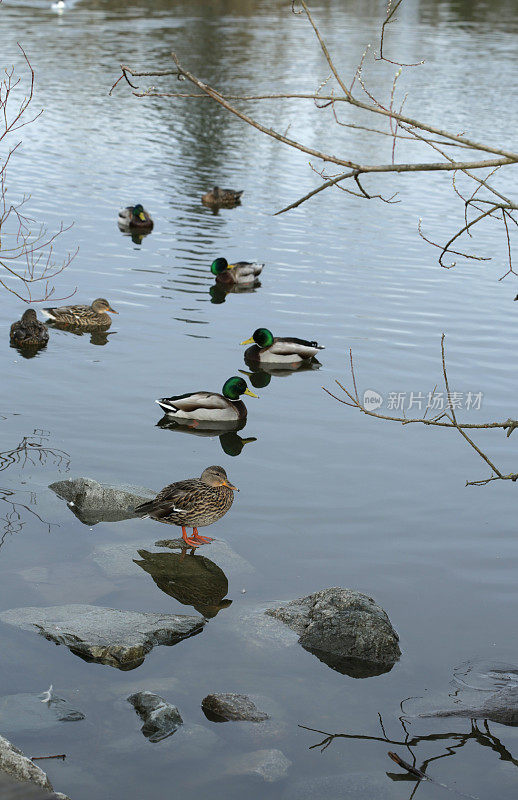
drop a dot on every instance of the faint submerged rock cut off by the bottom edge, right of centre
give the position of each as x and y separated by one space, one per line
352 785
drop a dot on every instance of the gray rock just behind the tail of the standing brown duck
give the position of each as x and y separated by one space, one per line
94 502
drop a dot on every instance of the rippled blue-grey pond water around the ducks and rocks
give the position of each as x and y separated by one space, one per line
328 497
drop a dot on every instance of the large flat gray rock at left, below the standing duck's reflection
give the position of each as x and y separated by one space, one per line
120 639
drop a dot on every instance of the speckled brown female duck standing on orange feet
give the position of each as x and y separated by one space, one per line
193 503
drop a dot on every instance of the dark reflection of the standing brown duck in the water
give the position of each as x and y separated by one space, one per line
191 579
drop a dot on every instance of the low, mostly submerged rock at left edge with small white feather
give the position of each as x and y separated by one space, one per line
27 712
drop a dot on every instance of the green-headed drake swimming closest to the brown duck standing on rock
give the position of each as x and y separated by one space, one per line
209 406
